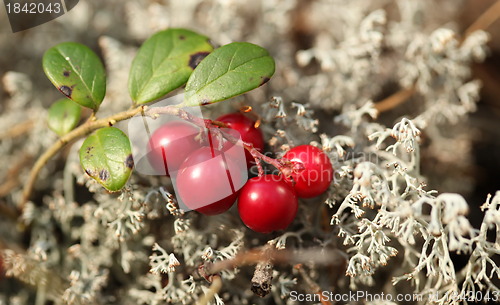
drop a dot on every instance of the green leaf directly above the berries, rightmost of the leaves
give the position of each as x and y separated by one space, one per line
230 70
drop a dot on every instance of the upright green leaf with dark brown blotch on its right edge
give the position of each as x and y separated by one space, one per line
164 63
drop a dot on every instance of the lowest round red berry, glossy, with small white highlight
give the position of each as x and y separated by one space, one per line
267 203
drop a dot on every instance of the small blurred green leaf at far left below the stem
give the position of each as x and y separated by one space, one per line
63 116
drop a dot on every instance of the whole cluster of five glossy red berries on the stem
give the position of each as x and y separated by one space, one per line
266 203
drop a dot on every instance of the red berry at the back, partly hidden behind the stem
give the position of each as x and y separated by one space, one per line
247 130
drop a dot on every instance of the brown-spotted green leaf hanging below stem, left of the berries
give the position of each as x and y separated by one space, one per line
106 156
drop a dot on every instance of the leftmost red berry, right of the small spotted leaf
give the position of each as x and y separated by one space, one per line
172 143
